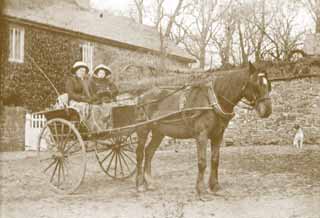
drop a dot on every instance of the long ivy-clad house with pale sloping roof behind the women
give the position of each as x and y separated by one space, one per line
55 34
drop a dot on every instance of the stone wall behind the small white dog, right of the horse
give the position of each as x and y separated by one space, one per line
294 102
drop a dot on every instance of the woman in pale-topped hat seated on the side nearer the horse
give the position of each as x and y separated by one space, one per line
102 86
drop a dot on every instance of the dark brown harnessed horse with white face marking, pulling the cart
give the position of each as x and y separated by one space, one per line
223 94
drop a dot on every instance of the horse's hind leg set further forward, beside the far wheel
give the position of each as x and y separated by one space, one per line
150 150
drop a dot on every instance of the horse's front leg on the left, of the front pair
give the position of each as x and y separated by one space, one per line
202 141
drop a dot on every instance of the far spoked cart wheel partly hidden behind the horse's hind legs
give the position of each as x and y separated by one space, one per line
117 156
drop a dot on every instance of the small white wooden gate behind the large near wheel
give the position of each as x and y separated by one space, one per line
33 126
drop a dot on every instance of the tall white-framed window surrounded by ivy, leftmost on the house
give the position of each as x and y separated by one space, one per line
16 47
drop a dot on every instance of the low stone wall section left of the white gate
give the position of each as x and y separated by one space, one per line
12 123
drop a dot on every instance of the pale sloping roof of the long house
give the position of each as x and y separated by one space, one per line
66 14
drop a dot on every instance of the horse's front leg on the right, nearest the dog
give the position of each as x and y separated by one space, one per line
215 155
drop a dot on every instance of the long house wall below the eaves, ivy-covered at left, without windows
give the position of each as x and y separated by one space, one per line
22 84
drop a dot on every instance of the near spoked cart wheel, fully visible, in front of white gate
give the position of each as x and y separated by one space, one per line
62 155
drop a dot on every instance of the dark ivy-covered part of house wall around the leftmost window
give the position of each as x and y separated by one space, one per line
22 84
